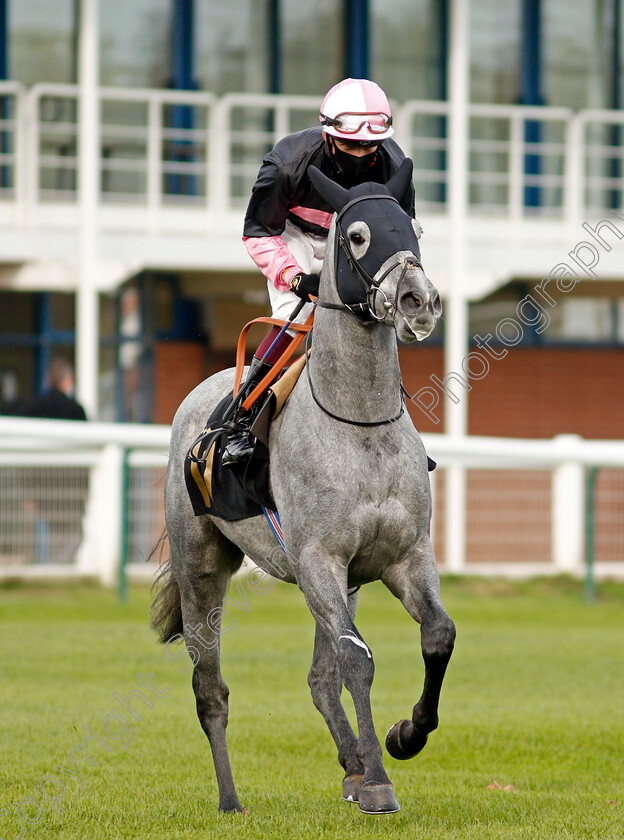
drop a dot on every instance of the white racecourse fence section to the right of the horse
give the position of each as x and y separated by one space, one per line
527 509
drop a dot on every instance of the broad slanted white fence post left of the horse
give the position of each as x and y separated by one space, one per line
100 550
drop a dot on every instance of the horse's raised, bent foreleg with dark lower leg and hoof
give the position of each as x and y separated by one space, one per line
416 583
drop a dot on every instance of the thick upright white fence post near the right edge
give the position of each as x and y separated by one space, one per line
568 512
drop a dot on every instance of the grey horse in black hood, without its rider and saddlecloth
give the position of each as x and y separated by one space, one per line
349 478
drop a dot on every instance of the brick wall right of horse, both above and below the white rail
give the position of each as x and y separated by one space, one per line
531 393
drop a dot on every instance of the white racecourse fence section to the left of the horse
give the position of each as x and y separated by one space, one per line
80 498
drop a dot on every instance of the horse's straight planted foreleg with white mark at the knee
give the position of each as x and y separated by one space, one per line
324 584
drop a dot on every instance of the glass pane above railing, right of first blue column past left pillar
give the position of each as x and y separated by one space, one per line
231 44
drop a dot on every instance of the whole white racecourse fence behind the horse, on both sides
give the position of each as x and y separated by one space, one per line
86 499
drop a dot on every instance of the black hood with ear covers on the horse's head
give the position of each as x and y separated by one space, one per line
391 229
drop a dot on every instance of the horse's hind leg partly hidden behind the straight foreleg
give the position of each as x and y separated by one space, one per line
326 685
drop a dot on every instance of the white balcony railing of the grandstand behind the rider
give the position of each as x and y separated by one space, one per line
164 151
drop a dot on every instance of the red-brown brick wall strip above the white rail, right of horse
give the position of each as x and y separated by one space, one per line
532 392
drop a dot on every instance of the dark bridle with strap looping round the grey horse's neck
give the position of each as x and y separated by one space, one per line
364 312
